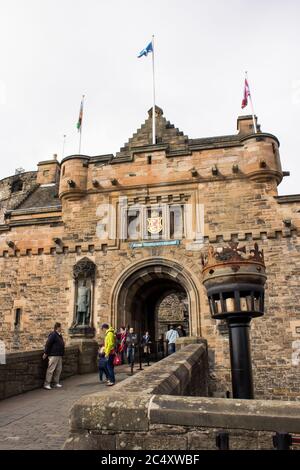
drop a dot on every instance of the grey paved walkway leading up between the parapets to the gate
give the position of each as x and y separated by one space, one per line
40 419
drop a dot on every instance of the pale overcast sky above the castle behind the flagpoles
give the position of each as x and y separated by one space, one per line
53 51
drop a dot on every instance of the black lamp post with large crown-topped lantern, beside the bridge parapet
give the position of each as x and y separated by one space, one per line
235 282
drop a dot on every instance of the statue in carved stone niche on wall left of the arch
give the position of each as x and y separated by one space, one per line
84 277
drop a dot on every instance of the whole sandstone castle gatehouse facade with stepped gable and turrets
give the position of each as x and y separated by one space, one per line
226 187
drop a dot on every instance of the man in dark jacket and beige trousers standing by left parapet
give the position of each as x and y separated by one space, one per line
54 350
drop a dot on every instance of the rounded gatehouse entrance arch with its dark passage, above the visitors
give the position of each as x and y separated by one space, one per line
149 292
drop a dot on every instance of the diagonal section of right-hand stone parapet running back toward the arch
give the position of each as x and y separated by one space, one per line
98 420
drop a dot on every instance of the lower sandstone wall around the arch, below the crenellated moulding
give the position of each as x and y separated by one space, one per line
42 286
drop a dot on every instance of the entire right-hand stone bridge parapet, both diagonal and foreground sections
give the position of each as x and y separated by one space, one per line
166 407
